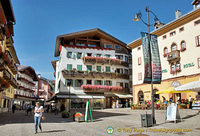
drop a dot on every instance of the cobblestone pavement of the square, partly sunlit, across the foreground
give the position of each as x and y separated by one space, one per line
125 122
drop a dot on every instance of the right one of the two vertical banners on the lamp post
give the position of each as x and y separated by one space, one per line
156 65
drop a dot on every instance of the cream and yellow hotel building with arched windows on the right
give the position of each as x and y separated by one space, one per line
179 48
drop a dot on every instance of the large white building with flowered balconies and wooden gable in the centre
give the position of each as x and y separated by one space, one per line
94 66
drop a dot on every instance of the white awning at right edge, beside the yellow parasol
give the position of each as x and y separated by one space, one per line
192 86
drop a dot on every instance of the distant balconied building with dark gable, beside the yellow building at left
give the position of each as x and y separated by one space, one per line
24 93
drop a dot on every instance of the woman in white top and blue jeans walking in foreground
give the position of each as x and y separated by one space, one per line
38 115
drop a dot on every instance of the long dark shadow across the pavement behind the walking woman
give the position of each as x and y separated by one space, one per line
20 117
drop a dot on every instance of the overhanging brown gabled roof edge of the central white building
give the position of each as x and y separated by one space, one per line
95 31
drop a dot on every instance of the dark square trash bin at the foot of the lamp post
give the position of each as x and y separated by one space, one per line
146 120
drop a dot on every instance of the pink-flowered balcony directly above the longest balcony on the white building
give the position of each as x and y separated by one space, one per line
102 60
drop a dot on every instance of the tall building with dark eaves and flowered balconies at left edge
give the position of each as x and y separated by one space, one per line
8 57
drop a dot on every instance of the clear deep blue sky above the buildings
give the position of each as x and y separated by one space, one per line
38 22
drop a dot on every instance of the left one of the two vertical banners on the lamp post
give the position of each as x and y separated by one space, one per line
147 61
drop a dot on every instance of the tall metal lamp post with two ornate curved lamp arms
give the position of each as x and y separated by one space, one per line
138 17
